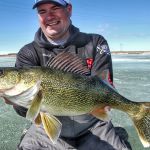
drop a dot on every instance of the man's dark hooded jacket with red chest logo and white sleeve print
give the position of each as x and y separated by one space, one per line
87 46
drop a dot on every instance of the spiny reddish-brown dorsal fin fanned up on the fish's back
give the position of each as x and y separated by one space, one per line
68 62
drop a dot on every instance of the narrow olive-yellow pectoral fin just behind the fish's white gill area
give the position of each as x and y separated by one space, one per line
34 109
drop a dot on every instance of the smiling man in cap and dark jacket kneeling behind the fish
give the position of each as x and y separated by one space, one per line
57 34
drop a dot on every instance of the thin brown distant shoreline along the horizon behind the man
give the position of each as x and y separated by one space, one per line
112 52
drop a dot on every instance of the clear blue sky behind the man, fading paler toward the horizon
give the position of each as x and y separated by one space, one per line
124 24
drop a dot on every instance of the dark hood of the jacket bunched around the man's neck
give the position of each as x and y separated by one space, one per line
42 41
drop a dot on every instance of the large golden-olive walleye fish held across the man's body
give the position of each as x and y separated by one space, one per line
63 89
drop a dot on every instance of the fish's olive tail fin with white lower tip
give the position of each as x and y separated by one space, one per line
142 123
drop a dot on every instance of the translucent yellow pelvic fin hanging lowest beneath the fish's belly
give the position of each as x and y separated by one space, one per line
52 126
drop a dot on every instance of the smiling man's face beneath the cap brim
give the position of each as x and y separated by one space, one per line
54 20
